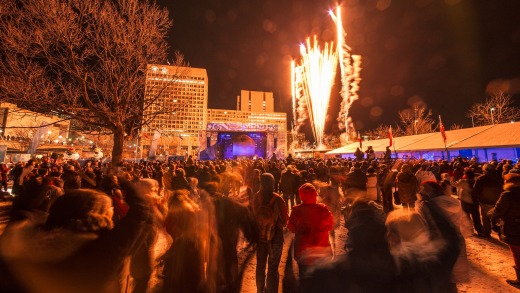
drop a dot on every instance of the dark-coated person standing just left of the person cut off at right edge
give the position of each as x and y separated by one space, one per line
488 188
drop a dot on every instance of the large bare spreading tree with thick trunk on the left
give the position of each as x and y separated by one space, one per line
84 60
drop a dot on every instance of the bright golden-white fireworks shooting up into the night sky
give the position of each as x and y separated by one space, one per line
313 79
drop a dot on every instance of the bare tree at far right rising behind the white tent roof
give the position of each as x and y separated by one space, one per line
495 109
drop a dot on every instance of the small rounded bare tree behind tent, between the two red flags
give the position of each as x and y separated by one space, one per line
417 120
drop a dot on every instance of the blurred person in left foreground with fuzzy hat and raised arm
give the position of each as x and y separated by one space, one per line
78 248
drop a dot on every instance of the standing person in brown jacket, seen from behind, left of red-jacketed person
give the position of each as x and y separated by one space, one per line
268 204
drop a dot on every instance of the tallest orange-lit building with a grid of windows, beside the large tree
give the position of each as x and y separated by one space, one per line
176 101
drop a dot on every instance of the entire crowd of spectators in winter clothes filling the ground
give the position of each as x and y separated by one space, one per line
92 227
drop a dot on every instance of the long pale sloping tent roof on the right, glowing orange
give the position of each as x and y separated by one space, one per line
497 136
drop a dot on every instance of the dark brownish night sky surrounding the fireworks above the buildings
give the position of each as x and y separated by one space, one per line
447 54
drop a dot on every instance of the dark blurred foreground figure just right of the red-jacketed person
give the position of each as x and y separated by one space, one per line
367 266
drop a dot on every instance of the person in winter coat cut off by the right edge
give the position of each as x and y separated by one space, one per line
507 209
